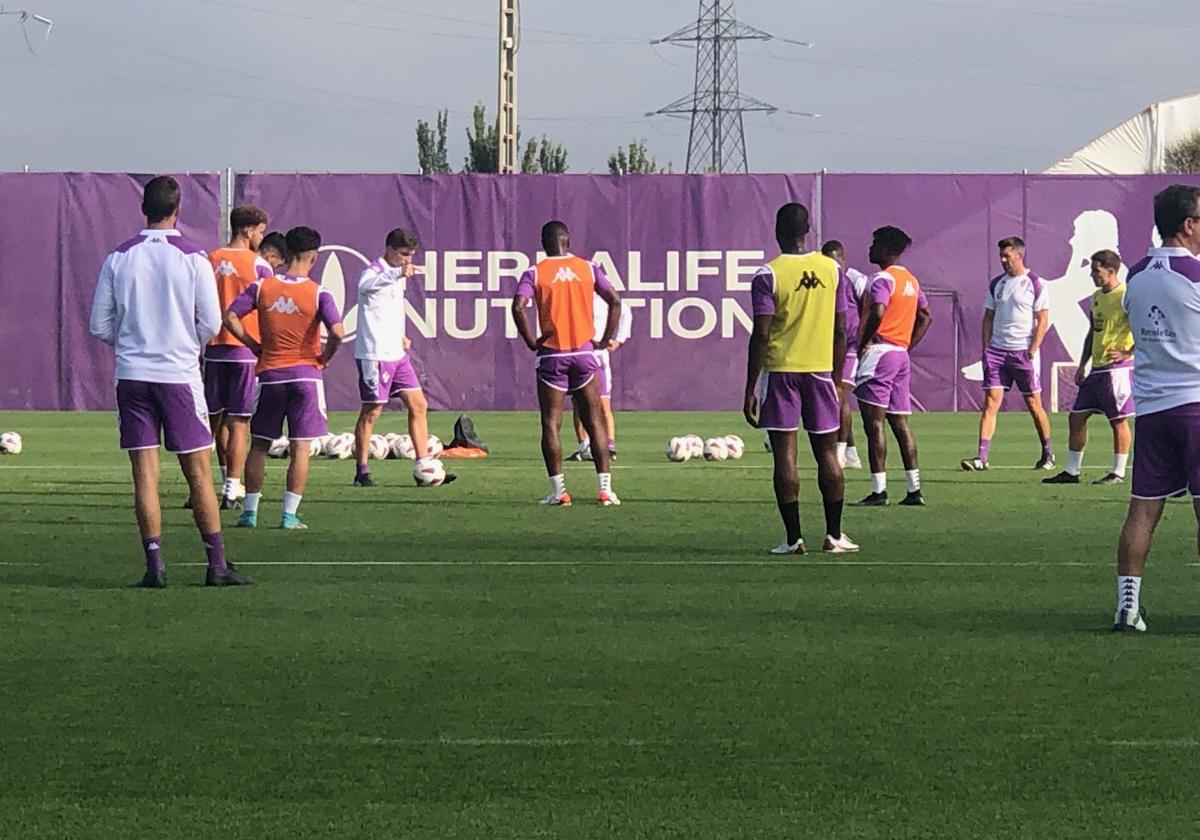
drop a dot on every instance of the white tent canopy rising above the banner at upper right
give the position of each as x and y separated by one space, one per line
1139 145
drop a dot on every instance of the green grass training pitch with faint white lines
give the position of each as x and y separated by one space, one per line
460 663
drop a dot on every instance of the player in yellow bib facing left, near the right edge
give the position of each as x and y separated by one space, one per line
1108 389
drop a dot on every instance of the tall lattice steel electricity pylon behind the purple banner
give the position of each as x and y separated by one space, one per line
717 141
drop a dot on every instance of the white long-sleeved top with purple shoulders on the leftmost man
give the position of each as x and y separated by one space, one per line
157 304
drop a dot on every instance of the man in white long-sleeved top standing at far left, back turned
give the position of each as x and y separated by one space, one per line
157 305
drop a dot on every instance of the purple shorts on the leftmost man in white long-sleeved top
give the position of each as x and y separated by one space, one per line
153 412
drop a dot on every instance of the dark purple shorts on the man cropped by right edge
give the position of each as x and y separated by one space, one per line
1167 453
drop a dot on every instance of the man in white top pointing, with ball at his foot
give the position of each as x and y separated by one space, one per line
381 352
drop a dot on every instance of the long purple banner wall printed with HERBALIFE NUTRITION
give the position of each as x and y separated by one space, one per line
682 250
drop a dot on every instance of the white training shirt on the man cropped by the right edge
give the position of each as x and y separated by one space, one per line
1163 302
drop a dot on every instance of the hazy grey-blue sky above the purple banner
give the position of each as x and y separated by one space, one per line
338 86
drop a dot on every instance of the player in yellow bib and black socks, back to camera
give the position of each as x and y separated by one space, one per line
800 340
